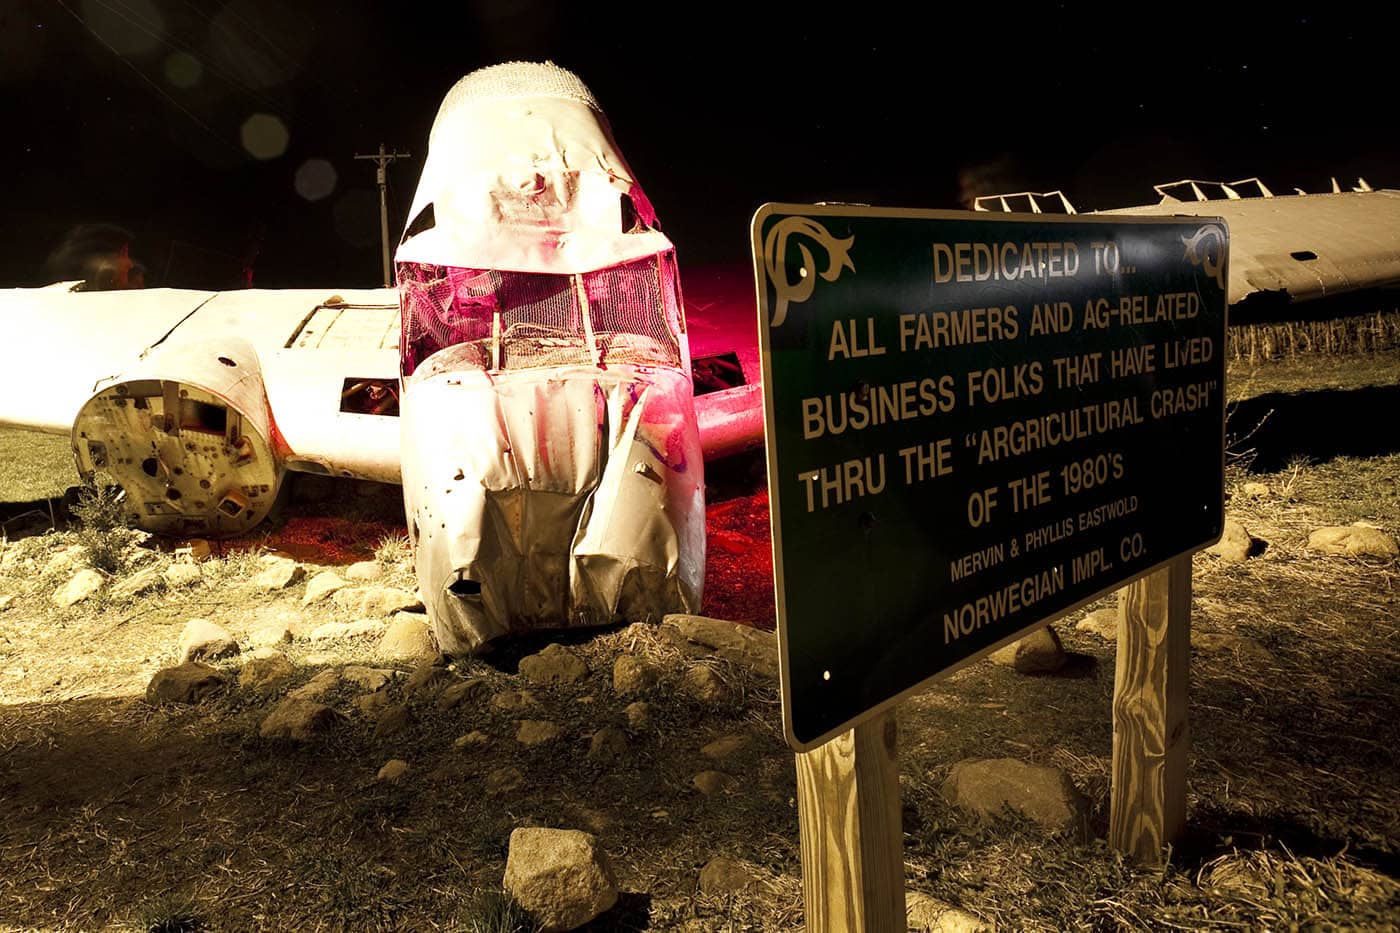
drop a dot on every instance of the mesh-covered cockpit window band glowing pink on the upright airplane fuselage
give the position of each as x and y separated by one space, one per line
625 315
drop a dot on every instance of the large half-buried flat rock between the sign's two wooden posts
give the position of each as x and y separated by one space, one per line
1045 795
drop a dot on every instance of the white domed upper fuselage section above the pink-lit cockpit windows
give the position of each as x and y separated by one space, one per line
523 174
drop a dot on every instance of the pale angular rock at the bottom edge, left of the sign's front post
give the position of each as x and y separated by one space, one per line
559 876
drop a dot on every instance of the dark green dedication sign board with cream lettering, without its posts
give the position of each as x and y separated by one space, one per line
975 425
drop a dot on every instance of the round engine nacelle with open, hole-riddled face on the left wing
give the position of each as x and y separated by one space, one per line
190 438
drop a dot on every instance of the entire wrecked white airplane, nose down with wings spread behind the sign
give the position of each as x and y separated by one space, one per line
535 383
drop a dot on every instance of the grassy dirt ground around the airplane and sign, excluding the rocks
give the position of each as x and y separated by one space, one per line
118 815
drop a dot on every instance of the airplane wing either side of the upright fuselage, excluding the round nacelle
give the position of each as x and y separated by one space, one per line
328 361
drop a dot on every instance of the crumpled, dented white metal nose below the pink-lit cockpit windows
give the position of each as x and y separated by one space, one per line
559 498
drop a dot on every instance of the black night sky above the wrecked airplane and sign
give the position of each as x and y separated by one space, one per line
135 113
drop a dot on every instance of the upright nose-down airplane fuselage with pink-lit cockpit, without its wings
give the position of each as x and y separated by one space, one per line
552 464
